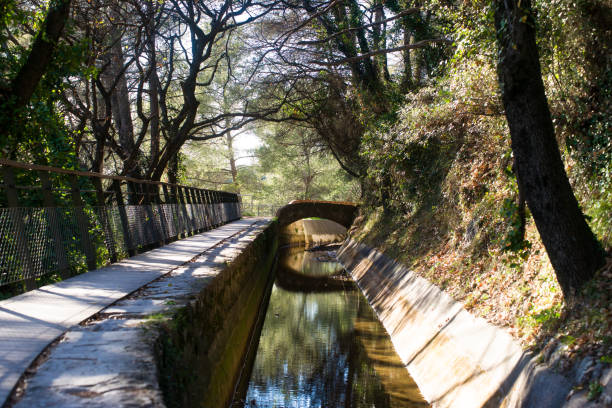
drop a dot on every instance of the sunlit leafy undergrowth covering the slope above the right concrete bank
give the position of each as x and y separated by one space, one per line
450 213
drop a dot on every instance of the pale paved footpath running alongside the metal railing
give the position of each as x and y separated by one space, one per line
30 322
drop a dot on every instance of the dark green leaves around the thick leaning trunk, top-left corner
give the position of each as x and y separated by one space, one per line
38 132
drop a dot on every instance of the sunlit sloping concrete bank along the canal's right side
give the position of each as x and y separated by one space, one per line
456 359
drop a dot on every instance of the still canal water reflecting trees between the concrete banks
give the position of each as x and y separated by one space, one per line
321 344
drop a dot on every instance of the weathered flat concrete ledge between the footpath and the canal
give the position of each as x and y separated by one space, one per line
109 360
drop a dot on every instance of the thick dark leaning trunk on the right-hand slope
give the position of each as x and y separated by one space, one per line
572 248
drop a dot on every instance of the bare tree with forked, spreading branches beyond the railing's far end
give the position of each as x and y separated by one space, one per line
202 60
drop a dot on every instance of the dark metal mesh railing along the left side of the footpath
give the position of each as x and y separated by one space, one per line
65 221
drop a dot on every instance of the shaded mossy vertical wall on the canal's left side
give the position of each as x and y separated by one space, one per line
201 350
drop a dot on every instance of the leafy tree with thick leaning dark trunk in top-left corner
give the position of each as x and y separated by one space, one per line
33 61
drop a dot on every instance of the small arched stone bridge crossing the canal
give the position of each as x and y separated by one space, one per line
343 213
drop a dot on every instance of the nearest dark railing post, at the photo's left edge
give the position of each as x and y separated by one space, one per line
21 238
